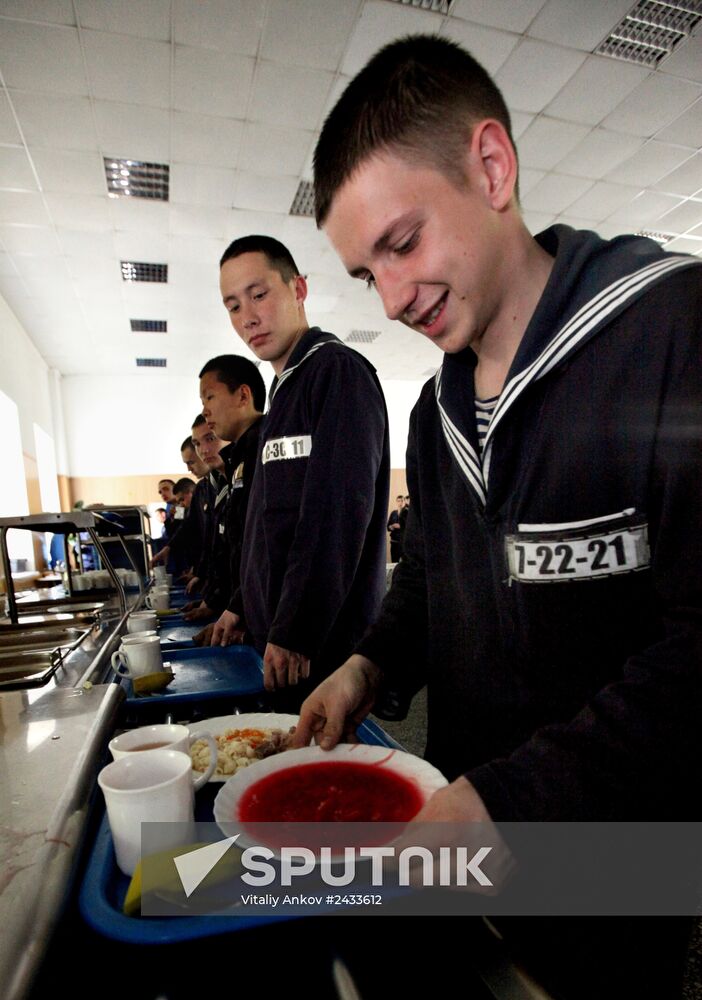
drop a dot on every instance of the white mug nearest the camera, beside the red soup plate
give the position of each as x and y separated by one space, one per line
147 788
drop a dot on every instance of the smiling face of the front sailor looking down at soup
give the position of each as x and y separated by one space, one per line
433 250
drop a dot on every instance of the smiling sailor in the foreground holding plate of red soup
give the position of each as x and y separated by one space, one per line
550 590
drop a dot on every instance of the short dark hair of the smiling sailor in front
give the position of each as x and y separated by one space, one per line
420 96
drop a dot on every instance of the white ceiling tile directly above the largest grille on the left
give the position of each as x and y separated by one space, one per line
133 131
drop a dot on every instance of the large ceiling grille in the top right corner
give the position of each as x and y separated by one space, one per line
651 30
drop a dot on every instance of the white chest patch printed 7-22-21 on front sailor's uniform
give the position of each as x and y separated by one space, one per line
547 557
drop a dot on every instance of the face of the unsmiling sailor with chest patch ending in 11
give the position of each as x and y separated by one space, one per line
266 311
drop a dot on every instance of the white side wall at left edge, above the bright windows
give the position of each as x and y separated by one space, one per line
24 377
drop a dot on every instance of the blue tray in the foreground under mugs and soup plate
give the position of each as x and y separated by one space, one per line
104 887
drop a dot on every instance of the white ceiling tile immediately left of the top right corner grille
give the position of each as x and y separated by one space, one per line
581 25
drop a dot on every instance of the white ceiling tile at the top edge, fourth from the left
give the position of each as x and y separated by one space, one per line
301 33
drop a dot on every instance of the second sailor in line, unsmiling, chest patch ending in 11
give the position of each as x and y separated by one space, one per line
313 555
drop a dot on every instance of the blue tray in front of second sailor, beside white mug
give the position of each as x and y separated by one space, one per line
203 673
